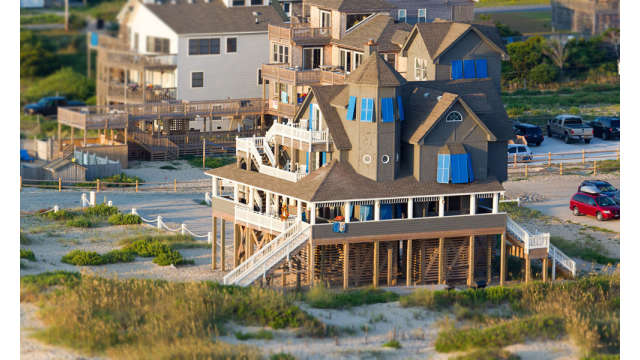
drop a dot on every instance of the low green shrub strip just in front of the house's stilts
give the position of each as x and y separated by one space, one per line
323 298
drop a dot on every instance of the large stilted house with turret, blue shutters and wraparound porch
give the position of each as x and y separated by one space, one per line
377 180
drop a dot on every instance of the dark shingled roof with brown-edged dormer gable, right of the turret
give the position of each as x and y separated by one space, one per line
479 97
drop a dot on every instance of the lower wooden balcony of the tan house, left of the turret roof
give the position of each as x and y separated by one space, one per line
326 75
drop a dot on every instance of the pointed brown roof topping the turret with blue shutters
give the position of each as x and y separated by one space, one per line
375 71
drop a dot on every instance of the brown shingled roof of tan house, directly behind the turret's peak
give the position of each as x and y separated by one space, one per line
380 28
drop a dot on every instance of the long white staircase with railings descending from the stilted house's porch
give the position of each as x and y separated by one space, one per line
269 255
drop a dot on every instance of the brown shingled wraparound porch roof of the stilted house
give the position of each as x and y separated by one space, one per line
339 181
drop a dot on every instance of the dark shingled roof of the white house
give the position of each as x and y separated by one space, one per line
214 17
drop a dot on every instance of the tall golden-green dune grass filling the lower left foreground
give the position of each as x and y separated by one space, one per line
155 319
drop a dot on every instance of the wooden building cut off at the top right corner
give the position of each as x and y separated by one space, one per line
590 17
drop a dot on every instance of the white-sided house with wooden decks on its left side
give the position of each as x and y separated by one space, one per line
185 50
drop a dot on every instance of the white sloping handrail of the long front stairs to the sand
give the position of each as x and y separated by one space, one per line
271 249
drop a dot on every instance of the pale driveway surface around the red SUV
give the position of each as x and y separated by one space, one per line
557 190
